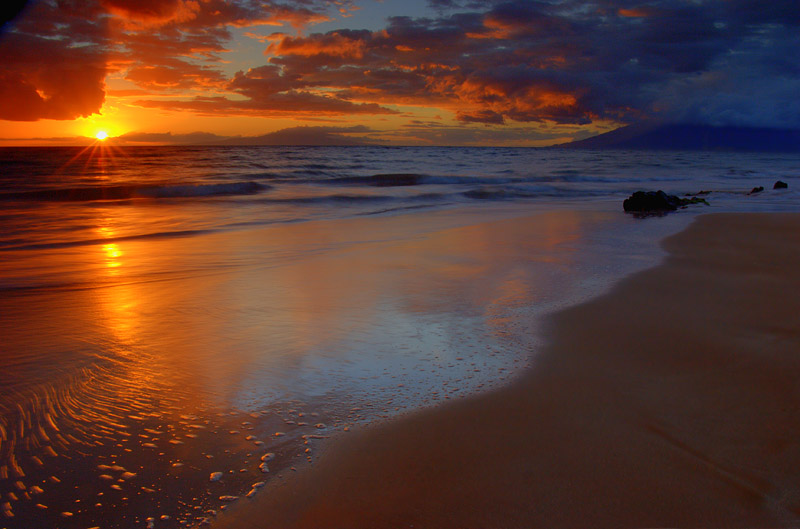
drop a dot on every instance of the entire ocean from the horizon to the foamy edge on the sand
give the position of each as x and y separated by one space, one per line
182 325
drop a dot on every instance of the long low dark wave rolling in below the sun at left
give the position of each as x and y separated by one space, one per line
127 192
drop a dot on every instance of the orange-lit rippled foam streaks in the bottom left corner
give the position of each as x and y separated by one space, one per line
79 451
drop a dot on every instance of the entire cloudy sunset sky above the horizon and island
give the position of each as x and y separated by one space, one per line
392 72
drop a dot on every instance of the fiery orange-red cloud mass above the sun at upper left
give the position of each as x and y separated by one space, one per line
57 56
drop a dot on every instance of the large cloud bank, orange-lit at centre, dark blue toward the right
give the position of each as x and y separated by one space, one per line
570 62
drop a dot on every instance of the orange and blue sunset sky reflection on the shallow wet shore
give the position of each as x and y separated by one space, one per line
374 316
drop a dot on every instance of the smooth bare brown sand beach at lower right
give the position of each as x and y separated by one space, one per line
670 402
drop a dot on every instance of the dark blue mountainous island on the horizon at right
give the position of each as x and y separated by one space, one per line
692 138
